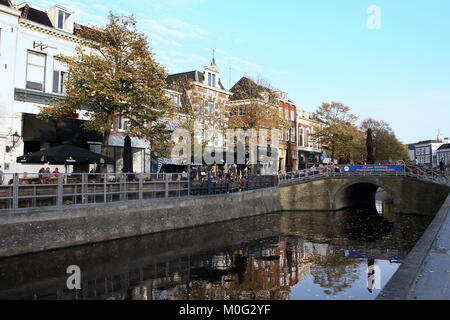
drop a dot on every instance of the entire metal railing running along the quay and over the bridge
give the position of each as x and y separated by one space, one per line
63 190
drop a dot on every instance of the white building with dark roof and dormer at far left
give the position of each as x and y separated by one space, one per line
30 77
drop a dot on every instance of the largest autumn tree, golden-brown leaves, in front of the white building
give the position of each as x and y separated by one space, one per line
114 75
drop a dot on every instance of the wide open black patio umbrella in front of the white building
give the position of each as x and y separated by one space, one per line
66 154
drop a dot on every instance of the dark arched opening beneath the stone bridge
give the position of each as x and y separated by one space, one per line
362 191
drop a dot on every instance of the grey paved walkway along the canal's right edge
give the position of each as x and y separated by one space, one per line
425 274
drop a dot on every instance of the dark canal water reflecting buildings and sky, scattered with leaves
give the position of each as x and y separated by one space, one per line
296 255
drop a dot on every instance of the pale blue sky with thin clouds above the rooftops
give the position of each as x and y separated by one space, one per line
317 51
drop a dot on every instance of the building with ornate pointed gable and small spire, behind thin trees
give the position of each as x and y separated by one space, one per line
201 101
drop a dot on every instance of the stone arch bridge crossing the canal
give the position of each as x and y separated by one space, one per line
406 194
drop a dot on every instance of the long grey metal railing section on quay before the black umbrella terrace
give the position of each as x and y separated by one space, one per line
58 189
